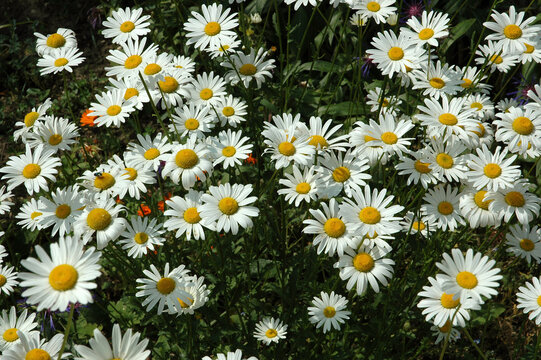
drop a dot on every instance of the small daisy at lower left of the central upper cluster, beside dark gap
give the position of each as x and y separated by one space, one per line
300 186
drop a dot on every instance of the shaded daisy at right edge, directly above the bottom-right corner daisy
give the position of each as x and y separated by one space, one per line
524 242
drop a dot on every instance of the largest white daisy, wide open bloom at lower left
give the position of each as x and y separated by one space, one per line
65 277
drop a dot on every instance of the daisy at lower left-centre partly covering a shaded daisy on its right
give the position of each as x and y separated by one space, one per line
163 290
